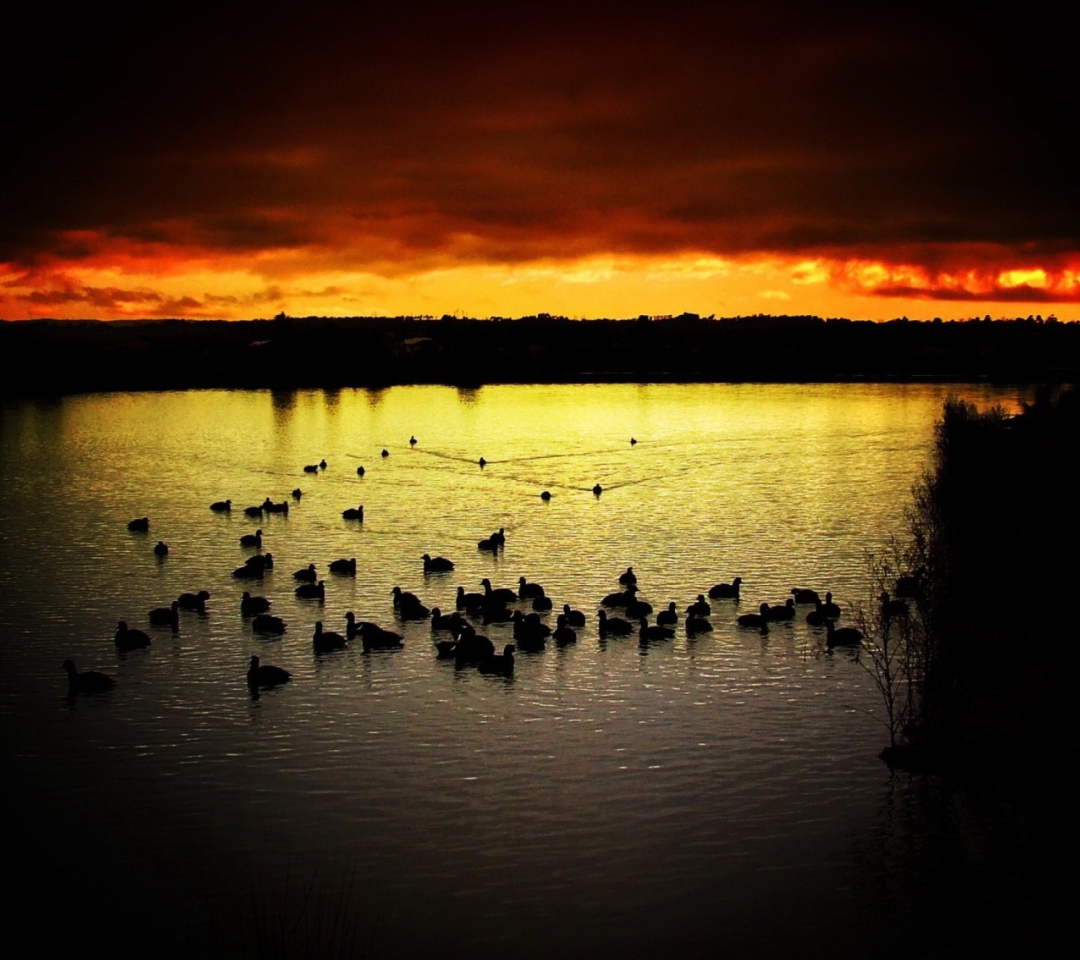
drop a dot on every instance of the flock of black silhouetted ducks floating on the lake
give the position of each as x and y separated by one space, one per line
455 634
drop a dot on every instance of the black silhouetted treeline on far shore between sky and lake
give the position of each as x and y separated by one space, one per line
64 357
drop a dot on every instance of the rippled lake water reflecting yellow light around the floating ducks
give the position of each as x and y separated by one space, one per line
684 800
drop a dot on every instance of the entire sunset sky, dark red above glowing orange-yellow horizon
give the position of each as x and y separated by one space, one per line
499 159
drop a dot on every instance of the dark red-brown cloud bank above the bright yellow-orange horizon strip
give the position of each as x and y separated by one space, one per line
485 132
